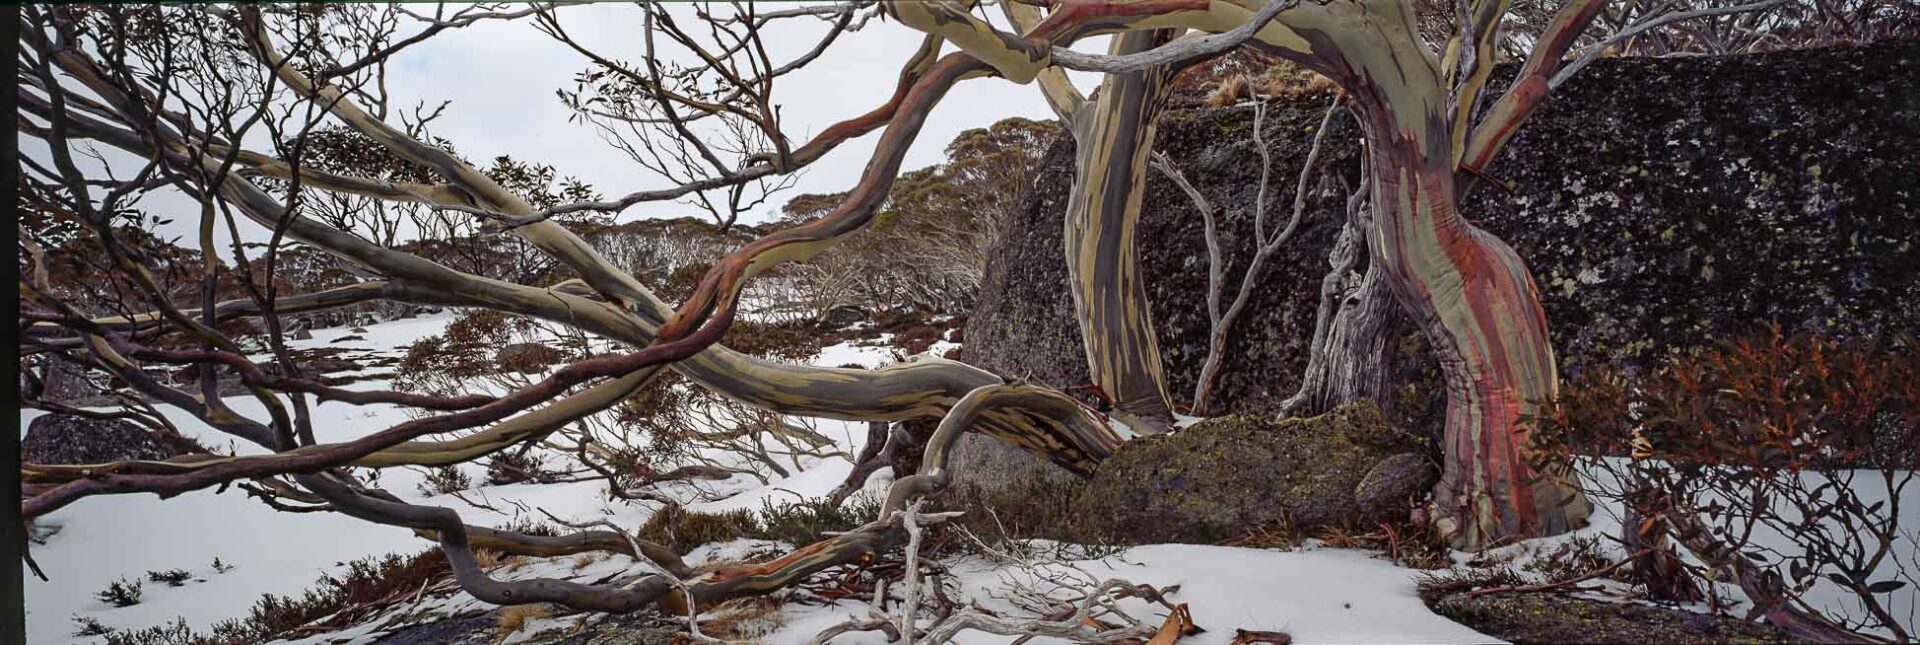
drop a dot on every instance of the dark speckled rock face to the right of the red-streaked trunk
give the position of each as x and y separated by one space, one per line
1717 197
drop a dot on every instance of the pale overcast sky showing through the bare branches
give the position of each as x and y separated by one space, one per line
502 80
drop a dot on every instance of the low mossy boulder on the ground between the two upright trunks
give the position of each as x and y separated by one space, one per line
1234 475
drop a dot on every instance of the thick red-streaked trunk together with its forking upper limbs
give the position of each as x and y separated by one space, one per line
1470 293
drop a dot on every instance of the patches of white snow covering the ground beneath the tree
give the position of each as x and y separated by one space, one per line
1320 596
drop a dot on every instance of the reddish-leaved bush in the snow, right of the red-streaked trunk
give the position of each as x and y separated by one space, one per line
1764 456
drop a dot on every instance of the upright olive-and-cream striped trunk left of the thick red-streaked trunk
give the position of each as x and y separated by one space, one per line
1115 137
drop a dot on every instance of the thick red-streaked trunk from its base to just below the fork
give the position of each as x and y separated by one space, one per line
1479 310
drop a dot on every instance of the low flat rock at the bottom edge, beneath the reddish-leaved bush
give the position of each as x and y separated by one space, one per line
1556 619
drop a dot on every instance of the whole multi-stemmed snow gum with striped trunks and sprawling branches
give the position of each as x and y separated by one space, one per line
180 89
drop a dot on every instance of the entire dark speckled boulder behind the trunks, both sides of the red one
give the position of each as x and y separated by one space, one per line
1662 204
